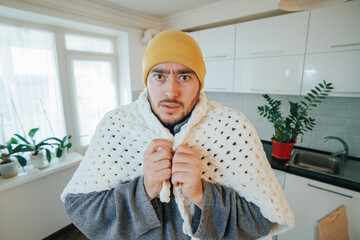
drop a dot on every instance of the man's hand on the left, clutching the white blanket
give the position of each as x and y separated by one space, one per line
157 166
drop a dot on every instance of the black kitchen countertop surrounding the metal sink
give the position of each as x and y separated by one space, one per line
349 181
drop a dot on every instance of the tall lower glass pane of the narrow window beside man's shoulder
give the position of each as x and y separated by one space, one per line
95 94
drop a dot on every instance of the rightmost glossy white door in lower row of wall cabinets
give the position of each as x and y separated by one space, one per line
340 68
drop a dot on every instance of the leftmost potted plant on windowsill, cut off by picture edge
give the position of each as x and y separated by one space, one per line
8 165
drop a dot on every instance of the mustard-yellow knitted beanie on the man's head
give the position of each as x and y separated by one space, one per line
174 46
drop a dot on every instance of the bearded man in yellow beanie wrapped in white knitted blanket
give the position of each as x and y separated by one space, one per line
173 165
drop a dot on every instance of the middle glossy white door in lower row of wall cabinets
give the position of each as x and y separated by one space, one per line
272 75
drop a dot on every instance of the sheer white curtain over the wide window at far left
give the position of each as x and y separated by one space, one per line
29 85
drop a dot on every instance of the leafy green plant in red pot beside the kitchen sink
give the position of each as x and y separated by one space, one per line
288 128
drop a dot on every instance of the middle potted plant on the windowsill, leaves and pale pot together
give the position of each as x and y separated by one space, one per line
37 149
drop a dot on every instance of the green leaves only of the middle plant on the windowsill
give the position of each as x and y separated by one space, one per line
32 146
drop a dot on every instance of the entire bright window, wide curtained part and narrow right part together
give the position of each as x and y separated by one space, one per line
31 89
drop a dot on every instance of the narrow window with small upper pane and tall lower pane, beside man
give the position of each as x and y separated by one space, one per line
92 69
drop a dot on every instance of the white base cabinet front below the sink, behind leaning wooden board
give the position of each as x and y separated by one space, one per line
312 200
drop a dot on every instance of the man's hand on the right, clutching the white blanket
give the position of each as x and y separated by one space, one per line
186 170
